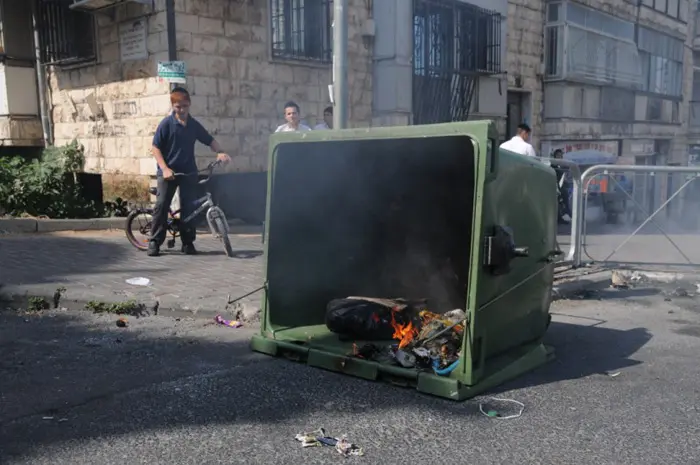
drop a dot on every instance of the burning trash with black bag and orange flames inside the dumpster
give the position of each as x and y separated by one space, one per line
420 339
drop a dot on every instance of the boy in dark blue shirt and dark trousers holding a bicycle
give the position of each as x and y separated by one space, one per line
173 148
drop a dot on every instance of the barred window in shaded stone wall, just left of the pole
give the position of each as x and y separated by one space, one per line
301 29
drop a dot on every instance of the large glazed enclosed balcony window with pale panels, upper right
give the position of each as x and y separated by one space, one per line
598 47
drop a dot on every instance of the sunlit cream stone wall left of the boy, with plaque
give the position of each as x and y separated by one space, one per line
113 107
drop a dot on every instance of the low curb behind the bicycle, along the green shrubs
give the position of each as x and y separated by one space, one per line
34 225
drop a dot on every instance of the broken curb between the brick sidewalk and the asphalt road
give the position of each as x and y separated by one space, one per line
248 314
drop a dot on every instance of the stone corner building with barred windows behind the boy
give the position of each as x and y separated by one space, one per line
435 62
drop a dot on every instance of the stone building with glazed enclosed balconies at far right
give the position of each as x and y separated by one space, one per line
603 75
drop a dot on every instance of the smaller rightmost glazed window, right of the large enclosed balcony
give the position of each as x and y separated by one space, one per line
662 63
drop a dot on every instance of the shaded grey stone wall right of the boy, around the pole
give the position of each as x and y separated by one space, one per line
239 91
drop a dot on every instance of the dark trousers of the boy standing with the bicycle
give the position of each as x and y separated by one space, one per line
164 197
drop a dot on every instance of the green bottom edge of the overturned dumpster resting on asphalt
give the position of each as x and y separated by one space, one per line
499 370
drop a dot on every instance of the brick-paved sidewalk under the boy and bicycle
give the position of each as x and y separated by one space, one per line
96 266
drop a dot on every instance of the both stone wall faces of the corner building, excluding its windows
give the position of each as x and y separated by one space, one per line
238 91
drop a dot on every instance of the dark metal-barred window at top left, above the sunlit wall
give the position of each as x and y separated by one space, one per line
67 37
